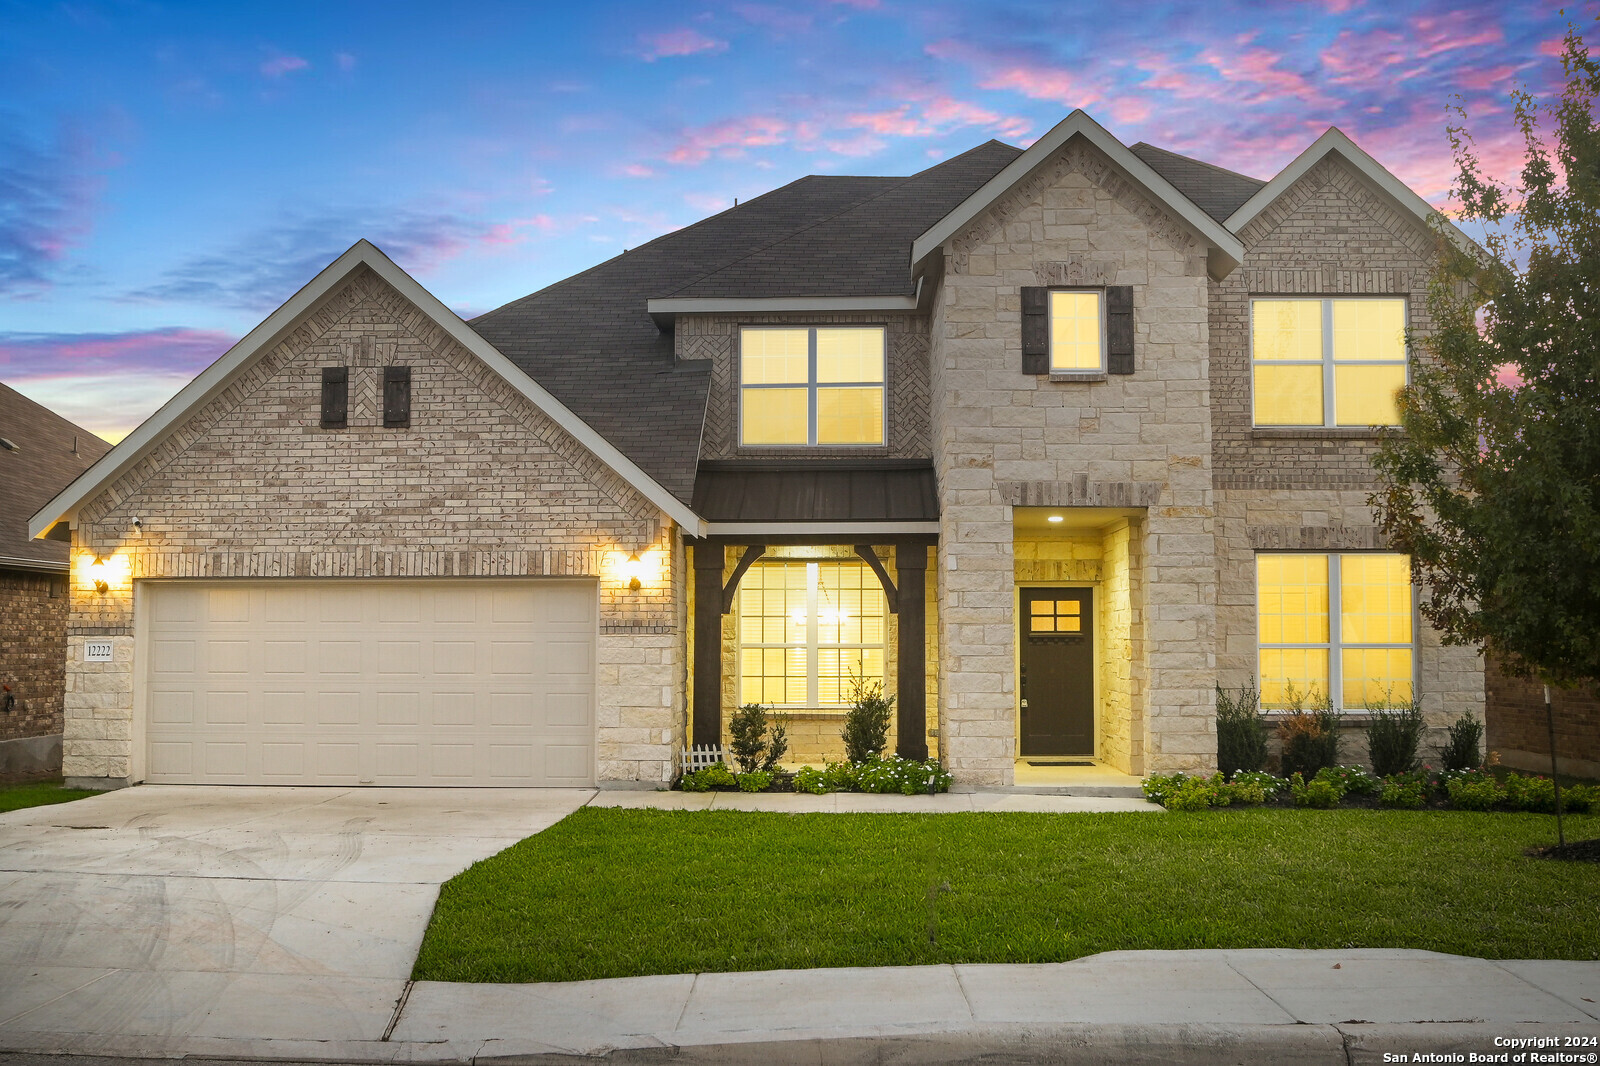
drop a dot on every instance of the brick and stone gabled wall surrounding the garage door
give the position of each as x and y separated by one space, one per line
482 484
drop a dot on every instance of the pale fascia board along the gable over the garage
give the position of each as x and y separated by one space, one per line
222 374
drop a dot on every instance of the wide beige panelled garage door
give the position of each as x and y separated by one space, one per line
369 683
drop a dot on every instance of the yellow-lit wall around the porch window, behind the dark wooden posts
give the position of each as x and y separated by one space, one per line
815 735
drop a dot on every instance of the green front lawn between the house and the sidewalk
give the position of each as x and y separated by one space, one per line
633 892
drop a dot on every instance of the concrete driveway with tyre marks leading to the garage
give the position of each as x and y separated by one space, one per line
162 915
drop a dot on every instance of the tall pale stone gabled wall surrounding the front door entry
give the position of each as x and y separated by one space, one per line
1006 439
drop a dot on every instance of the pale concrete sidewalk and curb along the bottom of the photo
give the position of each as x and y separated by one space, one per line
1119 1008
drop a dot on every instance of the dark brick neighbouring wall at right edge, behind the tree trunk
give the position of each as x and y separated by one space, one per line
1519 731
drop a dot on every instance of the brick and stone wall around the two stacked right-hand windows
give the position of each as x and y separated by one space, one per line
1330 234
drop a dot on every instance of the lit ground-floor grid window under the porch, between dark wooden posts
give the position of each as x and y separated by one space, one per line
807 631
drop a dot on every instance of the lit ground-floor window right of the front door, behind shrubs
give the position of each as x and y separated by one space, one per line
1335 623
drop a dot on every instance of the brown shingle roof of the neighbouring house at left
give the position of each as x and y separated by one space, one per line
41 454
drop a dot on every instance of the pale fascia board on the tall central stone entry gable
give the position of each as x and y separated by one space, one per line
1228 252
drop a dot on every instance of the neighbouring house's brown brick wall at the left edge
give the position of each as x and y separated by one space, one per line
33 651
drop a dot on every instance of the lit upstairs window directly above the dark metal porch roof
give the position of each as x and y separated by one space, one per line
812 387
